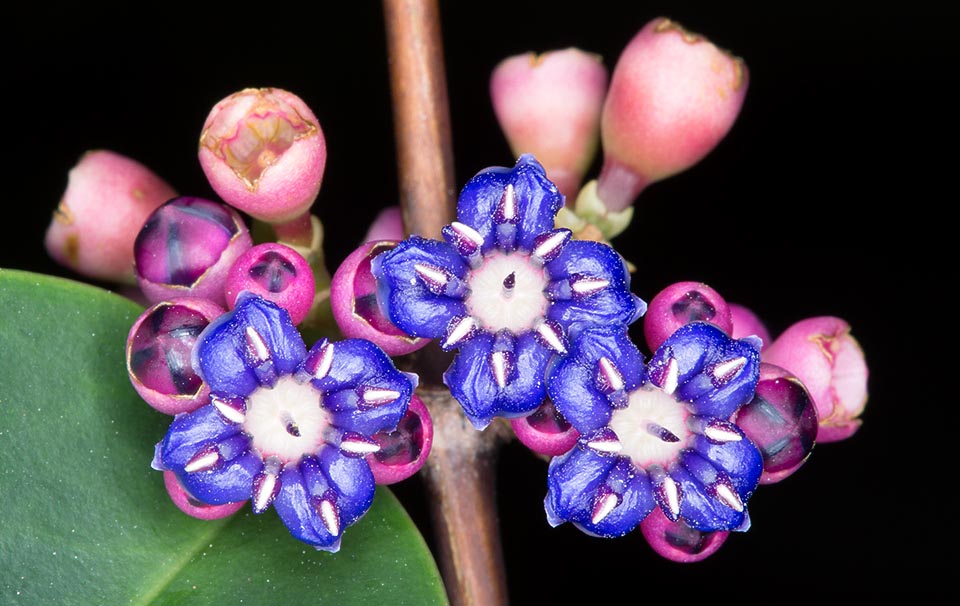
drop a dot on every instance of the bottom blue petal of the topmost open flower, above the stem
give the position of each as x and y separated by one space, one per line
472 382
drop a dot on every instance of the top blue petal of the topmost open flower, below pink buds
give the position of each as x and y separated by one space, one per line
538 201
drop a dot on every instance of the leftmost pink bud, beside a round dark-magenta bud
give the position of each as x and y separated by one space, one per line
108 197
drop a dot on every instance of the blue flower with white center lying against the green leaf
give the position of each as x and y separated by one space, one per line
285 426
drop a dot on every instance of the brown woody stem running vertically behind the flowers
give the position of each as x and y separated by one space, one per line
459 473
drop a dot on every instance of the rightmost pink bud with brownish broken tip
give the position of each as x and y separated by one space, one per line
823 354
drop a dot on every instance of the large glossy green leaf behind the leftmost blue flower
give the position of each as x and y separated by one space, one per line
85 520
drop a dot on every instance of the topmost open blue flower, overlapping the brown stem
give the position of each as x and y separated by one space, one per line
505 289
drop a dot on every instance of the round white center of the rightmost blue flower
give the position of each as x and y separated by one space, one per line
652 428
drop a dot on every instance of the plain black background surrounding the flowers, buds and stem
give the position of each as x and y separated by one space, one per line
829 197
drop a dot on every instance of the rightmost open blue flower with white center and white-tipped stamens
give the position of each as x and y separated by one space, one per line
657 434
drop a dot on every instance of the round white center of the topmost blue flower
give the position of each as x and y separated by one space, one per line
506 291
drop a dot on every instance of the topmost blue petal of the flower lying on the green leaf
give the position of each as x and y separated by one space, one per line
222 355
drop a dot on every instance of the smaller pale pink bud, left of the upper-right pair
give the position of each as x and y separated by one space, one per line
549 105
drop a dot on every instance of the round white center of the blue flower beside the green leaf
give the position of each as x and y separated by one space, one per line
287 420
